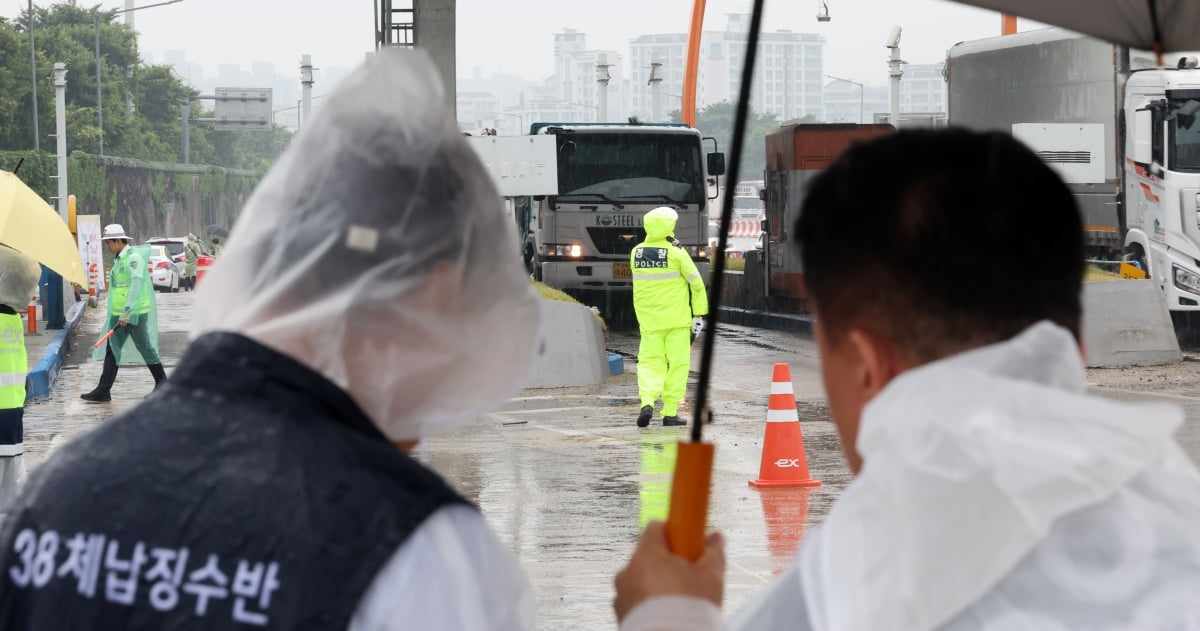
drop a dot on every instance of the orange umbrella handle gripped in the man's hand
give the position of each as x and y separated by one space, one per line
688 518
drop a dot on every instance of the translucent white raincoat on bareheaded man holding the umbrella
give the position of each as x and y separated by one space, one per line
997 495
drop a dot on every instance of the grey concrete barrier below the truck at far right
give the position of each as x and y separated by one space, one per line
1126 323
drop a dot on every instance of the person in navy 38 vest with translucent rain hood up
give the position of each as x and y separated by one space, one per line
370 295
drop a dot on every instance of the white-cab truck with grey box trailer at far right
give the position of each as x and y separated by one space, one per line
1123 133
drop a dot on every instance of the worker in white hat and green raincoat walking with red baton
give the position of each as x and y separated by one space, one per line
133 315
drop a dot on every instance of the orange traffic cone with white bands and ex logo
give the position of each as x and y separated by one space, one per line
783 449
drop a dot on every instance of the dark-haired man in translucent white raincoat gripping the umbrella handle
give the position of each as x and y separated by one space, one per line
993 492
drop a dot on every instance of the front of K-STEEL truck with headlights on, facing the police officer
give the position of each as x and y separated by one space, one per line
610 176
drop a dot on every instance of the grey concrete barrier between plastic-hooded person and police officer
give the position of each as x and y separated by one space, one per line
571 347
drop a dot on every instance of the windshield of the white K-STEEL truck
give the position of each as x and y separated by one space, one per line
629 167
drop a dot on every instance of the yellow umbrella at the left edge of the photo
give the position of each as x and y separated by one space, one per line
32 227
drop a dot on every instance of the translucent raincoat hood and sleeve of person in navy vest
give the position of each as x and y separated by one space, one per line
377 254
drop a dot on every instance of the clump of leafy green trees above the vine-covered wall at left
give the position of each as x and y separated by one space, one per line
151 130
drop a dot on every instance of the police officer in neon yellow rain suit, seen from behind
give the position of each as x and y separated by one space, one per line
669 295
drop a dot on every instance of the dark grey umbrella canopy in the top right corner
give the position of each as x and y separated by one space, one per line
1133 23
